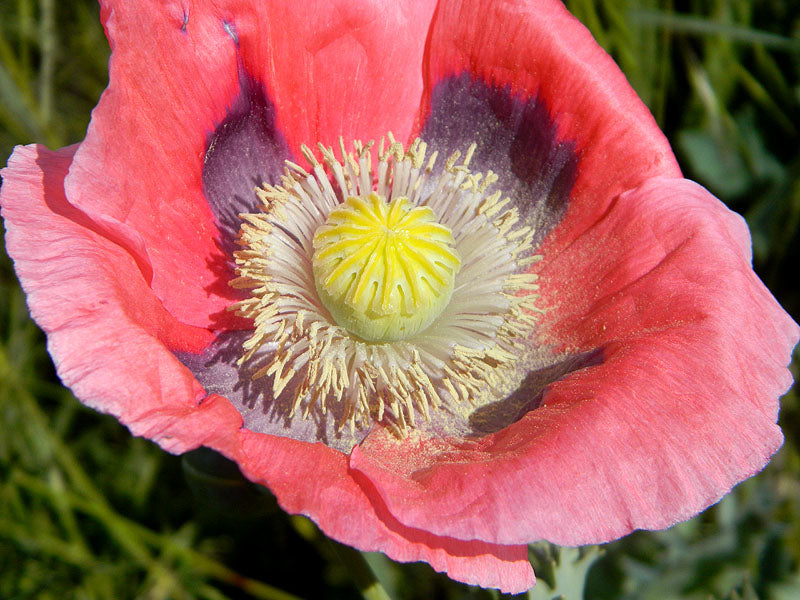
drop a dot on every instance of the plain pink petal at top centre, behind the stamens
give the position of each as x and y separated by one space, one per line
335 67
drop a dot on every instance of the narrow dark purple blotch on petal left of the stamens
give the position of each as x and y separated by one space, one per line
244 151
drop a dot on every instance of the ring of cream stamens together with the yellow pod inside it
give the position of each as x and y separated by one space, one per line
384 293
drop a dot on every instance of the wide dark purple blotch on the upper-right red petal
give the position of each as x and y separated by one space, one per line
516 138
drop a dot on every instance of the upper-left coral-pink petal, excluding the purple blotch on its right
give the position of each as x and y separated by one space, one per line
141 162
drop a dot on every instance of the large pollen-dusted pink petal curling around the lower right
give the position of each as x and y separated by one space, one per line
682 407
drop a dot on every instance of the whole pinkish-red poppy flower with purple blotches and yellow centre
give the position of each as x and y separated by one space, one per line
439 356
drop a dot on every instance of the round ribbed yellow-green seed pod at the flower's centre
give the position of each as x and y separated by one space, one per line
384 270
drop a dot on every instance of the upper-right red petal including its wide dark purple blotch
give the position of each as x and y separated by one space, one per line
553 94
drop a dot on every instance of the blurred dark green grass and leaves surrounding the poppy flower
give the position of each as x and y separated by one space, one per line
87 511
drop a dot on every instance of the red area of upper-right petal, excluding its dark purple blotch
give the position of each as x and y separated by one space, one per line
537 50
